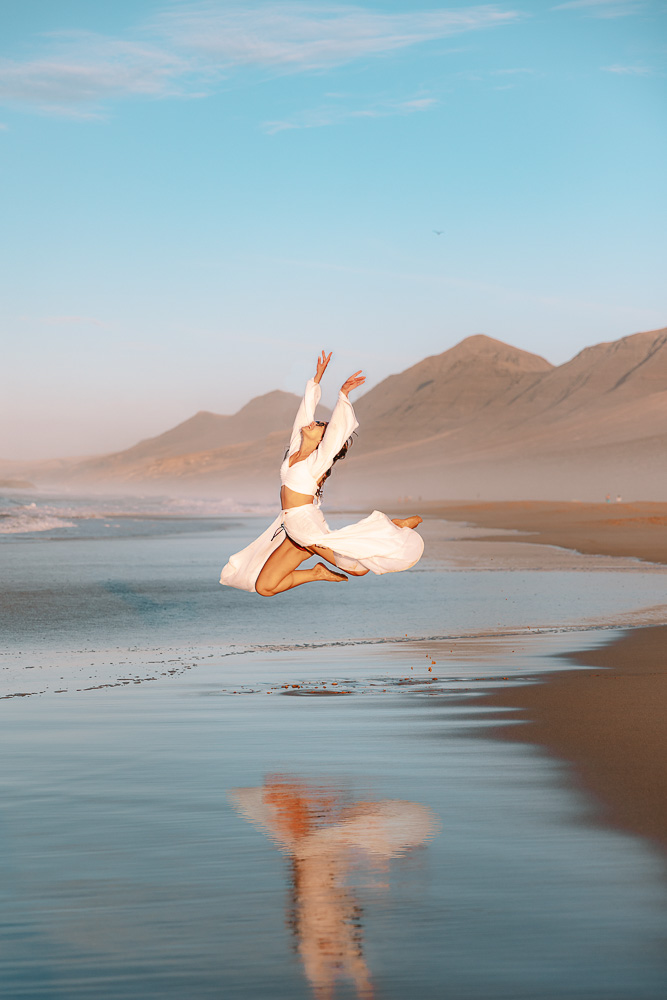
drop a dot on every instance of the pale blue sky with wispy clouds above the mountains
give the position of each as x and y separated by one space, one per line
198 197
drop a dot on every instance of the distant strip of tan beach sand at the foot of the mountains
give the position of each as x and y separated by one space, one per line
613 529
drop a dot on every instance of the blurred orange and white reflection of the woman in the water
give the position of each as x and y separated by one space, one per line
327 837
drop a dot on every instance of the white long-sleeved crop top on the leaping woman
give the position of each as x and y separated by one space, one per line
304 476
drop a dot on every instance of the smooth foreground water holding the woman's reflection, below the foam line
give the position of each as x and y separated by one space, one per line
396 847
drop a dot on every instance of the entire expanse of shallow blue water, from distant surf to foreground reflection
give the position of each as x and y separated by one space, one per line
167 838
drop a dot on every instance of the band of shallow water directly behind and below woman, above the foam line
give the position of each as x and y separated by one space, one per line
154 581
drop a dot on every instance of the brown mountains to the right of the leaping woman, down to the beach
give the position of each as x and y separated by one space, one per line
595 424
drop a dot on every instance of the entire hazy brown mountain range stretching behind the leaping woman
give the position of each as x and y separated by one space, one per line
482 419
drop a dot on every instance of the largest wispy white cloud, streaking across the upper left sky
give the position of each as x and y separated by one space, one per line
186 51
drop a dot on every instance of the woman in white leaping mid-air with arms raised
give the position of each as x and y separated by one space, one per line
269 565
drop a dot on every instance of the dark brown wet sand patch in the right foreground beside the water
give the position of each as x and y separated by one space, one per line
608 723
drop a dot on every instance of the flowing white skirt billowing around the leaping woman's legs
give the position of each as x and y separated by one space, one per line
374 543
